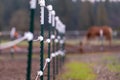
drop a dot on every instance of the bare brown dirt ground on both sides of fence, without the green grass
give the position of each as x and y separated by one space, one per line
15 68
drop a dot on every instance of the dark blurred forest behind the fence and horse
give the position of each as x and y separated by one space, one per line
75 14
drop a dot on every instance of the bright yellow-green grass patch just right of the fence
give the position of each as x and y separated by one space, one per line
78 71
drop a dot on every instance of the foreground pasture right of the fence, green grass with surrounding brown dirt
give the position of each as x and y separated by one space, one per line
100 66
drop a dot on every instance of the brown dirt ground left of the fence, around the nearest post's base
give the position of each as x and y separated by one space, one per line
15 68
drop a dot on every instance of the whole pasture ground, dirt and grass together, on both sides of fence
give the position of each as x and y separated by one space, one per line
94 65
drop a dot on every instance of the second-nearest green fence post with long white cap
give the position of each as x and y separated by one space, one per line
42 5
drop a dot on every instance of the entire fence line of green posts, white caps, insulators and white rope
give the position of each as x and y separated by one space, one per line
56 33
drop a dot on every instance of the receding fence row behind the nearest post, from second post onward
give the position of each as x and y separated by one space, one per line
56 31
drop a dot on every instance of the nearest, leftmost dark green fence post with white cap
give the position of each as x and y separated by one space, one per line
32 9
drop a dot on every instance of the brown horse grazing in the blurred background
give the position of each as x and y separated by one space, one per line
102 31
